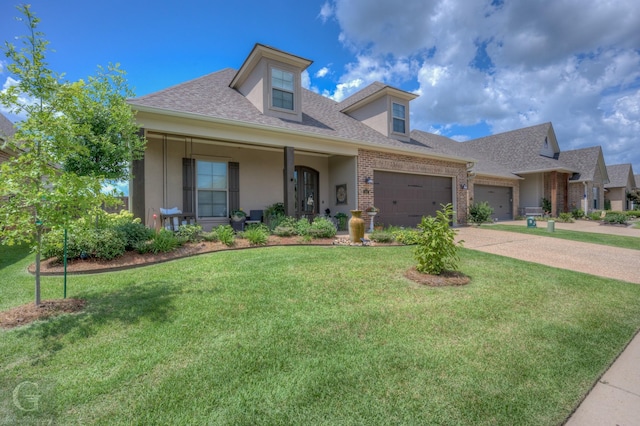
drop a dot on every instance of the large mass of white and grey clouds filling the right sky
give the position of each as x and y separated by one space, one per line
508 64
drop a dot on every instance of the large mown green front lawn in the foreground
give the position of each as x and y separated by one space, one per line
314 335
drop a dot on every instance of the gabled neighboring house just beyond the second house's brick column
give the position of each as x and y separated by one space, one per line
586 186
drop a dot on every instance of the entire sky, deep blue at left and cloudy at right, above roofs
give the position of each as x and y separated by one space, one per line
480 67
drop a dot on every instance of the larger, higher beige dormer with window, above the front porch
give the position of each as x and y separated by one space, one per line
271 80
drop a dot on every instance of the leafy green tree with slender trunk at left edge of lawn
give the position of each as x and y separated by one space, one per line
74 137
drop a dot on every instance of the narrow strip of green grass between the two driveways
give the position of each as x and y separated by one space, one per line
585 237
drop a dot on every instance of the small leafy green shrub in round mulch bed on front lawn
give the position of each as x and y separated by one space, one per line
436 249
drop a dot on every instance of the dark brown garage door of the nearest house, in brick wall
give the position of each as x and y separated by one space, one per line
404 198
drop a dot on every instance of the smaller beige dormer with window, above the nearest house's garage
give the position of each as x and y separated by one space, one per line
383 108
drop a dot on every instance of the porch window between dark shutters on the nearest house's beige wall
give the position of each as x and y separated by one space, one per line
212 186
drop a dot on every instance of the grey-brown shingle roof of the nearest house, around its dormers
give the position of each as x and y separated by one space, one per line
210 97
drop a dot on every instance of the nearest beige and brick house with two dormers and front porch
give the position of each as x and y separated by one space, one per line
252 137
